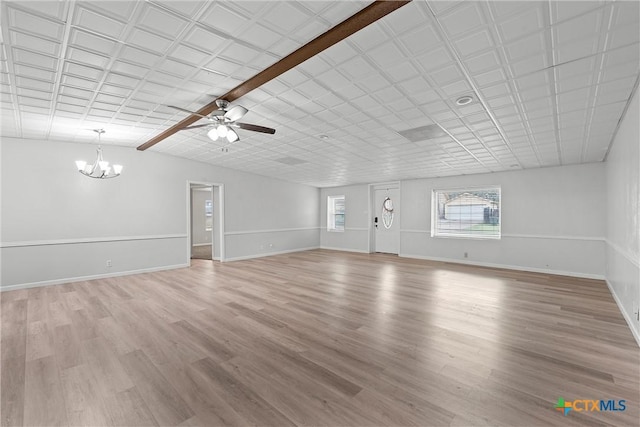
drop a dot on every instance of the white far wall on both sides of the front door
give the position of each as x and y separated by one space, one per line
552 221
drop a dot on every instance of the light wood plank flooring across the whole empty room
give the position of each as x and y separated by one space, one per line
319 338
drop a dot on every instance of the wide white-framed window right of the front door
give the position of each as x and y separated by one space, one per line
470 213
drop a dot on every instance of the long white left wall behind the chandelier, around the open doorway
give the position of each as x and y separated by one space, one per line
59 226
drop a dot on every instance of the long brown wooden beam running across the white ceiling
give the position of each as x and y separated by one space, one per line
351 25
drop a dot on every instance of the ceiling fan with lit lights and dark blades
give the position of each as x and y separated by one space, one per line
223 121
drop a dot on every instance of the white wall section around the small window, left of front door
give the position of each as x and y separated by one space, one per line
355 237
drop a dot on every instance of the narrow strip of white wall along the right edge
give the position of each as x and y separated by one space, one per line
623 219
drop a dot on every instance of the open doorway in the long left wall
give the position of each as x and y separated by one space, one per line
205 225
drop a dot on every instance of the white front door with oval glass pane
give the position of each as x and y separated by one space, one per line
387 228
